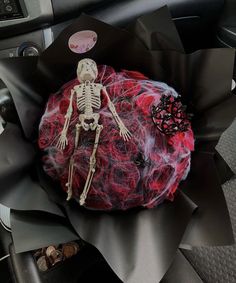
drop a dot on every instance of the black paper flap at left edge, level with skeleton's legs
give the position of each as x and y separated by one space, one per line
16 157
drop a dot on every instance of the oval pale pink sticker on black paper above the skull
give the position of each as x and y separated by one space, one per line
82 41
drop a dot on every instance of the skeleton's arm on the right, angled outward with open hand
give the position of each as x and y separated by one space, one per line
124 132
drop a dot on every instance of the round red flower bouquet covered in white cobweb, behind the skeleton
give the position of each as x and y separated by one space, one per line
141 172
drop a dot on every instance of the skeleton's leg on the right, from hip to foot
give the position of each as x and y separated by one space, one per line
92 166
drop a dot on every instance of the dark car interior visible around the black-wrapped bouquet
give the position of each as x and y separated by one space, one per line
28 27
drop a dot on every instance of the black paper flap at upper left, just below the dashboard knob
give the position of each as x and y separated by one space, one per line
17 75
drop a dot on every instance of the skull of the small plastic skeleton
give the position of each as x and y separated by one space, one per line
87 70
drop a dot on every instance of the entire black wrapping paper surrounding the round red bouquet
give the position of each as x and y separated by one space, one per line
139 245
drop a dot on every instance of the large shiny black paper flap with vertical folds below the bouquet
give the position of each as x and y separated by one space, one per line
136 232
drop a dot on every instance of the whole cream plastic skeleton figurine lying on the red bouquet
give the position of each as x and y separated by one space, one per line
88 98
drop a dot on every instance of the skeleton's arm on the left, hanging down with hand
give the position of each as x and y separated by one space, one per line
63 141
